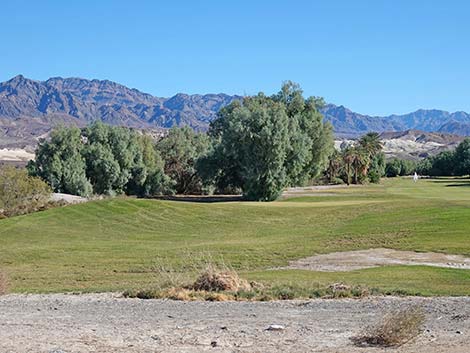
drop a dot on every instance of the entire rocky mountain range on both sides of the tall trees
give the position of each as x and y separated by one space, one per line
29 109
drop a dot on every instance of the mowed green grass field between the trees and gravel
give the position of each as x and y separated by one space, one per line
111 245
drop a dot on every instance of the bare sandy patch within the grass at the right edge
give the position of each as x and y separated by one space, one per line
360 259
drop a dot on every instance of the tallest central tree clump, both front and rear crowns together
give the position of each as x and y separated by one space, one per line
264 144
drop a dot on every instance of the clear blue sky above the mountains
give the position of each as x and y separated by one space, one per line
376 57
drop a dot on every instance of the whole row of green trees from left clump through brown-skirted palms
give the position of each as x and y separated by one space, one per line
256 147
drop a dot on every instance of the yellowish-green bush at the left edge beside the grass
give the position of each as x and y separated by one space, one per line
21 193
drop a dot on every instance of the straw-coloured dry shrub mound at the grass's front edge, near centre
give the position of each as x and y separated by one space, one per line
214 279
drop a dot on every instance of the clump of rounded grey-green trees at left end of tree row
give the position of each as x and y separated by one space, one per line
102 159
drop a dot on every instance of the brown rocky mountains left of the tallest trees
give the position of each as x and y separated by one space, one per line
29 108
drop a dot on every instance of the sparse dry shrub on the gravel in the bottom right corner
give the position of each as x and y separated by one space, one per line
395 328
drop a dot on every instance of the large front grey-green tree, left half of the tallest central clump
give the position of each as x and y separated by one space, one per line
251 141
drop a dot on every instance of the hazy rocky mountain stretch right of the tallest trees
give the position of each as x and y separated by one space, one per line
350 124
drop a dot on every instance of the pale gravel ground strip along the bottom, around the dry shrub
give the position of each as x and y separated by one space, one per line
106 323
